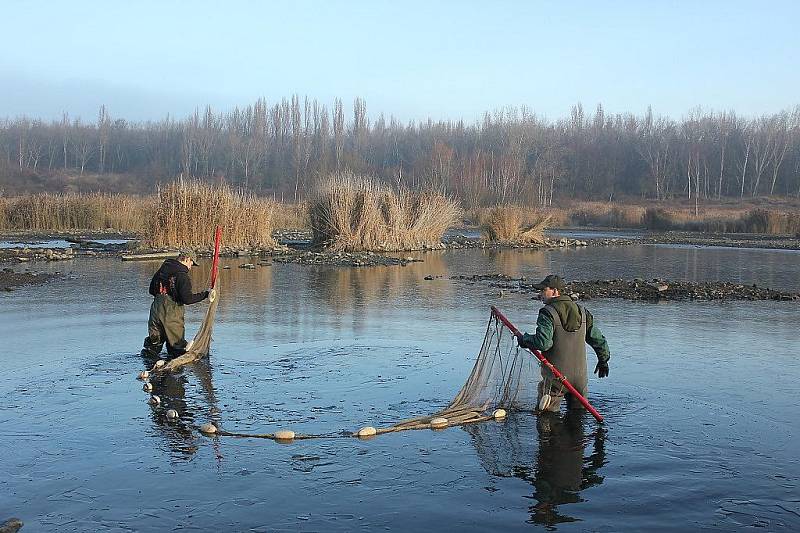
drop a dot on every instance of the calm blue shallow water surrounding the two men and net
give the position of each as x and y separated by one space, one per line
699 404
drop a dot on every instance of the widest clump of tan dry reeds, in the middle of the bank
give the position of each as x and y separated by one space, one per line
352 213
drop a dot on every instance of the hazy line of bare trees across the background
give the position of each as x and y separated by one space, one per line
510 156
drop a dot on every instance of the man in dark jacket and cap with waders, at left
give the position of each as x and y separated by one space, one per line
171 288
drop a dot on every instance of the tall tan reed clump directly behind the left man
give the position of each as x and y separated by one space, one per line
188 211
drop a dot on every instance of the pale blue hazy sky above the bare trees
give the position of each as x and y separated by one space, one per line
447 60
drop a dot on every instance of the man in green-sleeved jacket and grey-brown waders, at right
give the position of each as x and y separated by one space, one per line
563 329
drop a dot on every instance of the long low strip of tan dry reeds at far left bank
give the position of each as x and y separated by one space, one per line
72 211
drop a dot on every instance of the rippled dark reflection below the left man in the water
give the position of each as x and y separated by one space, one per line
171 389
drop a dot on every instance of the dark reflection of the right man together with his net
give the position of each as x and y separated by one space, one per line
553 460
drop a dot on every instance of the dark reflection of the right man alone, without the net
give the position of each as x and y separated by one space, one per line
561 469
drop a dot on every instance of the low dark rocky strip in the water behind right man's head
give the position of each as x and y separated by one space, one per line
638 289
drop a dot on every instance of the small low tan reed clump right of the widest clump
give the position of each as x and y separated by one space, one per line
512 224
